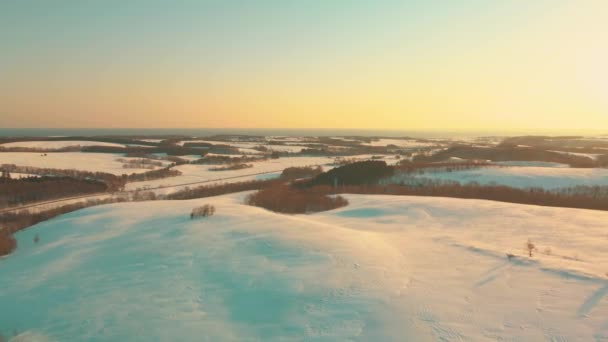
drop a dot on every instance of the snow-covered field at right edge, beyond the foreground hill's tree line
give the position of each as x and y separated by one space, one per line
521 177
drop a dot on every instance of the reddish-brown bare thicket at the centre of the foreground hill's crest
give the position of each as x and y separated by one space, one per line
287 199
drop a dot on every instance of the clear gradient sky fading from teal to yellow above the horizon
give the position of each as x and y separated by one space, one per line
432 64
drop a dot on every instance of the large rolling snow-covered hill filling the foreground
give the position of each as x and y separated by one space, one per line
383 268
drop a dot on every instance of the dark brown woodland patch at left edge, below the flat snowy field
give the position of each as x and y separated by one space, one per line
34 189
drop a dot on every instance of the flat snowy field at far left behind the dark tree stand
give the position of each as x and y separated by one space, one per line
93 162
